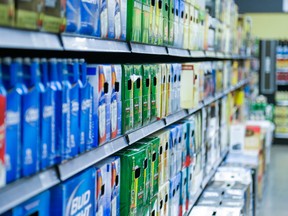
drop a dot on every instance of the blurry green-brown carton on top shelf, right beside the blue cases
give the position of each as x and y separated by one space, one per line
54 16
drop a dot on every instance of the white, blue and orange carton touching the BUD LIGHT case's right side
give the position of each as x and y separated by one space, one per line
103 188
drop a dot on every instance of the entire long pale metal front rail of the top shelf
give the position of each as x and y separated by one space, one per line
33 40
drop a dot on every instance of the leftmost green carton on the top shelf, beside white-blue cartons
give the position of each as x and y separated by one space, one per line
134 20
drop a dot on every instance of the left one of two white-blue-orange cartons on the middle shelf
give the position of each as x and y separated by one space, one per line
104 98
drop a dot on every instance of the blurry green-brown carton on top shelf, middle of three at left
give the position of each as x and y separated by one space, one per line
27 13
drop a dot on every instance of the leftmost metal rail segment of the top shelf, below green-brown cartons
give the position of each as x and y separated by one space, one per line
25 39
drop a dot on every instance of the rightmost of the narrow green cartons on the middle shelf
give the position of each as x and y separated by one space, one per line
153 71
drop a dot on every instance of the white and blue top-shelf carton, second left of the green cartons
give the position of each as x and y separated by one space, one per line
107 13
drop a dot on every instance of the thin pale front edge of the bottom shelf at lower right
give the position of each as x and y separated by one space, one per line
206 180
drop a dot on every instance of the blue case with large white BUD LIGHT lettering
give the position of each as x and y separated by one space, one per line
75 196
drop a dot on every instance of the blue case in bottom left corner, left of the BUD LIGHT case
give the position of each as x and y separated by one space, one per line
38 205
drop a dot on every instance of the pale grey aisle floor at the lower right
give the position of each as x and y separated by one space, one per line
275 201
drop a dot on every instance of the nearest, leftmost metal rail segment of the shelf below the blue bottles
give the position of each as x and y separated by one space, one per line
24 189
